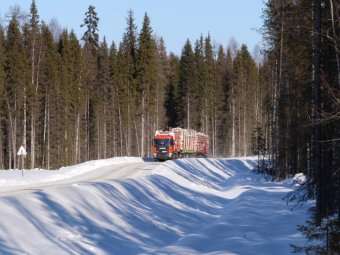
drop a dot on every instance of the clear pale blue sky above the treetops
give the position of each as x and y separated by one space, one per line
174 20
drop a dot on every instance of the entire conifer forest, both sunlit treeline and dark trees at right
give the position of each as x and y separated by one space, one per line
68 100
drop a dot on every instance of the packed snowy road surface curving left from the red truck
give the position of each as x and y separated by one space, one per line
111 172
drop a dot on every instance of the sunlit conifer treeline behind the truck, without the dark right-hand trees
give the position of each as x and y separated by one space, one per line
69 100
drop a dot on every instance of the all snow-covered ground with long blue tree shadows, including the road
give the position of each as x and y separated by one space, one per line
128 206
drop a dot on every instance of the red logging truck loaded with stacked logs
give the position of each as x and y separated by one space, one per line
177 142
